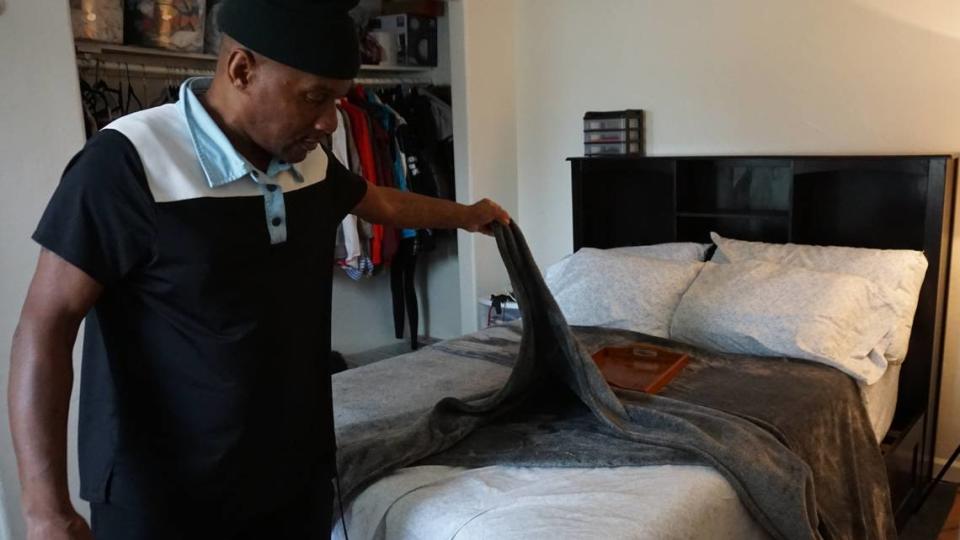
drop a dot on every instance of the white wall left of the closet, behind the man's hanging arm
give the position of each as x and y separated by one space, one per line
40 129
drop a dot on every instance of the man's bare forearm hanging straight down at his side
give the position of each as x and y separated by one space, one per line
41 378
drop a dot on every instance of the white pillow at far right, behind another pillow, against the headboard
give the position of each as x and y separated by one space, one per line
901 271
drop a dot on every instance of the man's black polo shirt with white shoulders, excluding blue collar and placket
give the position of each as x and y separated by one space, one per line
204 364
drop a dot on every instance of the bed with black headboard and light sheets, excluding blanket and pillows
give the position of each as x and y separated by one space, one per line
805 200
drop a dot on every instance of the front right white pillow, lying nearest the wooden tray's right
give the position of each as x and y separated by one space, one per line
766 309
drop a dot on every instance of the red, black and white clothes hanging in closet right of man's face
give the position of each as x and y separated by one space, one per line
393 138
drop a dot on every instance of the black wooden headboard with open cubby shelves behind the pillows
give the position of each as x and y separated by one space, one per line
891 202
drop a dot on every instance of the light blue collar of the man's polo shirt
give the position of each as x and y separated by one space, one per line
220 161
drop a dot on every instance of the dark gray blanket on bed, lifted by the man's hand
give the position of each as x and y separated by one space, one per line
792 438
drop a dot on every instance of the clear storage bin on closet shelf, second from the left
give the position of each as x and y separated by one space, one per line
175 25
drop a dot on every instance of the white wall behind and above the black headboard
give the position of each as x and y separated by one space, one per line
736 77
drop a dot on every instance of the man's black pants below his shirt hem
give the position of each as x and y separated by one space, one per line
306 516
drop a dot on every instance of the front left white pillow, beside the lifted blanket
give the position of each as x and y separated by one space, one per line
598 287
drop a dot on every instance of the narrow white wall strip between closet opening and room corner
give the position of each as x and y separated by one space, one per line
484 100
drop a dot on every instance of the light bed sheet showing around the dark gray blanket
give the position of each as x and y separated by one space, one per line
434 501
